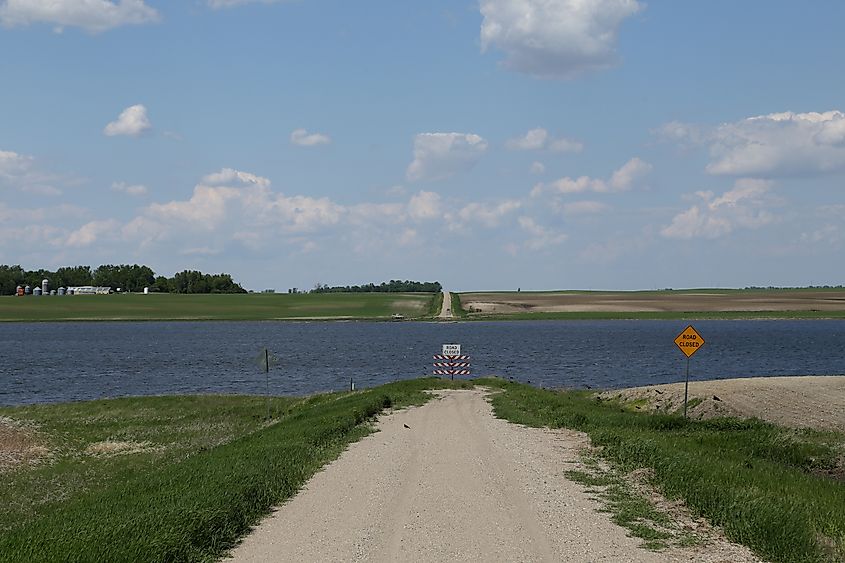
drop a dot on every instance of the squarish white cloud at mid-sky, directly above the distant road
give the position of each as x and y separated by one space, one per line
438 156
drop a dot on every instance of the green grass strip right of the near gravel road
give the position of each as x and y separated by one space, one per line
766 486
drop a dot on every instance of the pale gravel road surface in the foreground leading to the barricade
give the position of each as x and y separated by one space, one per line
449 482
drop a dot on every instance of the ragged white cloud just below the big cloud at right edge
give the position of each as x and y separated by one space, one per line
743 207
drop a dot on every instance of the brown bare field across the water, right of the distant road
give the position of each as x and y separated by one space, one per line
662 301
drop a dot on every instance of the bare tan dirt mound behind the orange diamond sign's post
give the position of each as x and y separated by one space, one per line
798 402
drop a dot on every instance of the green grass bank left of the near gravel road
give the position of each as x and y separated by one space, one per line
209 468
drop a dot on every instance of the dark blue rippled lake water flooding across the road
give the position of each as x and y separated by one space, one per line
50 362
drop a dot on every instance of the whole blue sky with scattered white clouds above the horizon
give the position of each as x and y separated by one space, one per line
541 144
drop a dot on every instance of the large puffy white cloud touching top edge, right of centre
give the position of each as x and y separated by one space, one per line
554 38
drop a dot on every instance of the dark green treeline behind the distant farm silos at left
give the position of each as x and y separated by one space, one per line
124 276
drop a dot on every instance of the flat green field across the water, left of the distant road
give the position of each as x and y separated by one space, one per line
237 307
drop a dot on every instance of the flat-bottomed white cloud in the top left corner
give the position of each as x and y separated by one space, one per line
94 16
